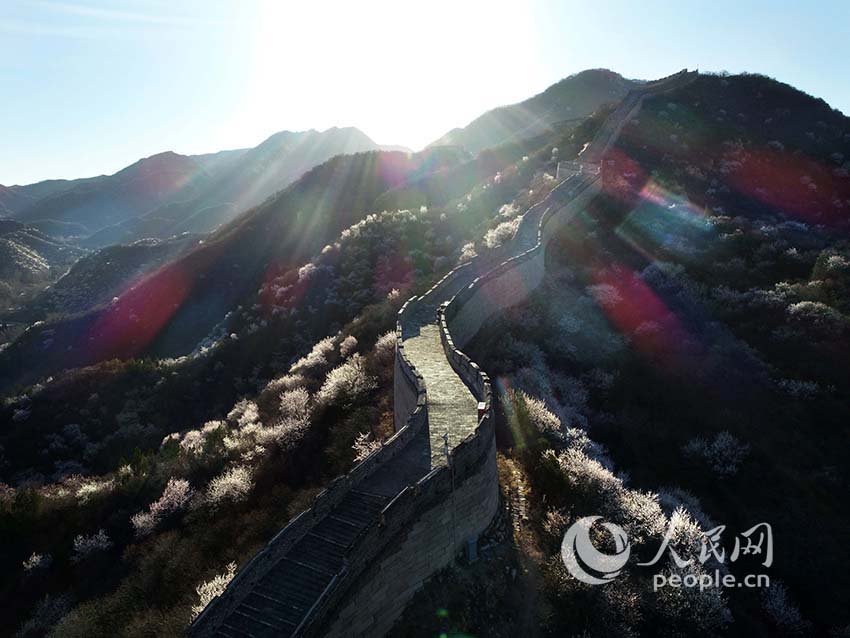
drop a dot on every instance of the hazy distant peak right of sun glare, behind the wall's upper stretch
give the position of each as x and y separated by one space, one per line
572 98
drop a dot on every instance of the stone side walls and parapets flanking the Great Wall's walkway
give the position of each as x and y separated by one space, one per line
427 524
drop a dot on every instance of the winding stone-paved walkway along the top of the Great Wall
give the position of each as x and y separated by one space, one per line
284 587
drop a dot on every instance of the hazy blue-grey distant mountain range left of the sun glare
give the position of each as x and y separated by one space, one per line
170 193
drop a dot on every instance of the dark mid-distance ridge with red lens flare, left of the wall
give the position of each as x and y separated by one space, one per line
169 311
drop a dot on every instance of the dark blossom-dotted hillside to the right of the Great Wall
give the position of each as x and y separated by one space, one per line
692 340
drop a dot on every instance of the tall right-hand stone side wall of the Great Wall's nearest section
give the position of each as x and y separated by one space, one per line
426 526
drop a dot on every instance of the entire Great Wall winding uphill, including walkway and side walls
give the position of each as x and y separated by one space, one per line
349 564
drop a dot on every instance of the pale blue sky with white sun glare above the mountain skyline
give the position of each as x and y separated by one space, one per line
90 86
